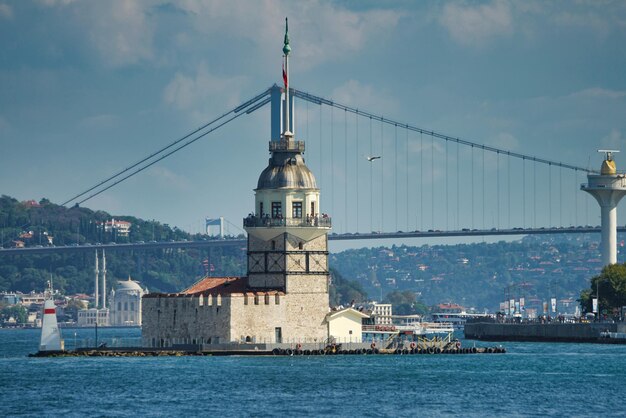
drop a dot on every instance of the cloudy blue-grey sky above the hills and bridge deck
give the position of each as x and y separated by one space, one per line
88 88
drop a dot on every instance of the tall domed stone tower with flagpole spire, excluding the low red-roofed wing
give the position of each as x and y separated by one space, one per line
287 234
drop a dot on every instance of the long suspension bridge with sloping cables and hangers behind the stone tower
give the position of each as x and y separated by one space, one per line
385 178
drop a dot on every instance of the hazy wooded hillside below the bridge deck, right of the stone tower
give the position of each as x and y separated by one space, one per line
478 275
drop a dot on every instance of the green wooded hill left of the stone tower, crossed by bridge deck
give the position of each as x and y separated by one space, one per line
44 223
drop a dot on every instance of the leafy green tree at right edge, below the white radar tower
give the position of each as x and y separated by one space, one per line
612 289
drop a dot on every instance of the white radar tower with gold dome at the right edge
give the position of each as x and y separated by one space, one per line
608 188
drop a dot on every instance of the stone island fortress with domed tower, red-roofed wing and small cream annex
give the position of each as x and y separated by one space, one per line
284 297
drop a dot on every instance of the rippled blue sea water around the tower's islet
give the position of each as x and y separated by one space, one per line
530 379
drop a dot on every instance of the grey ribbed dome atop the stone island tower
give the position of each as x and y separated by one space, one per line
286 171
